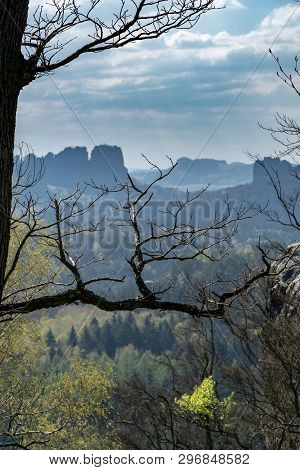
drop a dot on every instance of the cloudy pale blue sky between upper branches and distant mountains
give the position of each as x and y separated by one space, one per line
182 95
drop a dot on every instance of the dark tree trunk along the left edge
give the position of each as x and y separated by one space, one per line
13 17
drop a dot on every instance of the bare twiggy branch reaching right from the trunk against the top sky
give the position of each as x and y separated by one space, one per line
52 29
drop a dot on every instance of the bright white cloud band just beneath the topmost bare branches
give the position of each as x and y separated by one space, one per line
139 67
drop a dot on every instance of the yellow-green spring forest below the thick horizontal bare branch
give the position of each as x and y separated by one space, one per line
146 380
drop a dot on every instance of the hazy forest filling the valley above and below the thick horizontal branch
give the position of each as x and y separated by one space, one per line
78 376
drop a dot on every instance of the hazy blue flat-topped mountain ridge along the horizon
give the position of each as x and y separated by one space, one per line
105 166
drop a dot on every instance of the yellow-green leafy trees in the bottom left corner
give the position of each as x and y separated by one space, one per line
67 409
